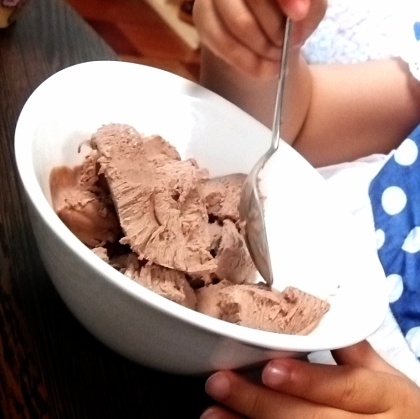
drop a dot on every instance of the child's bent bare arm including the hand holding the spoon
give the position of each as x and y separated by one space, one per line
332 113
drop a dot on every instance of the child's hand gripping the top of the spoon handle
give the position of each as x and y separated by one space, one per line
248 34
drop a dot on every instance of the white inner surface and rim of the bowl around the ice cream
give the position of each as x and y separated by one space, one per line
315 245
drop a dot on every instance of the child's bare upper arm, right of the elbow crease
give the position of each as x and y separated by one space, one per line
356 110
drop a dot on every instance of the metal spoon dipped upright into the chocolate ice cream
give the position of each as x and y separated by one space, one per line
250 206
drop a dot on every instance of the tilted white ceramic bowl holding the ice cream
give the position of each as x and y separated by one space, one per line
315 244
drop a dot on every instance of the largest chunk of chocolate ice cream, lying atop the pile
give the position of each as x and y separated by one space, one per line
160 206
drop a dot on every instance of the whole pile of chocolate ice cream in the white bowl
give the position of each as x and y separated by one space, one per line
163 223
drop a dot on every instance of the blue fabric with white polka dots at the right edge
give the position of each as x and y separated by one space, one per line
395 199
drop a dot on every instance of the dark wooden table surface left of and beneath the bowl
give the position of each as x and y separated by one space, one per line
50 366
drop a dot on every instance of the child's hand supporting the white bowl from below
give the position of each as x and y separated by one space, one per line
362 385
